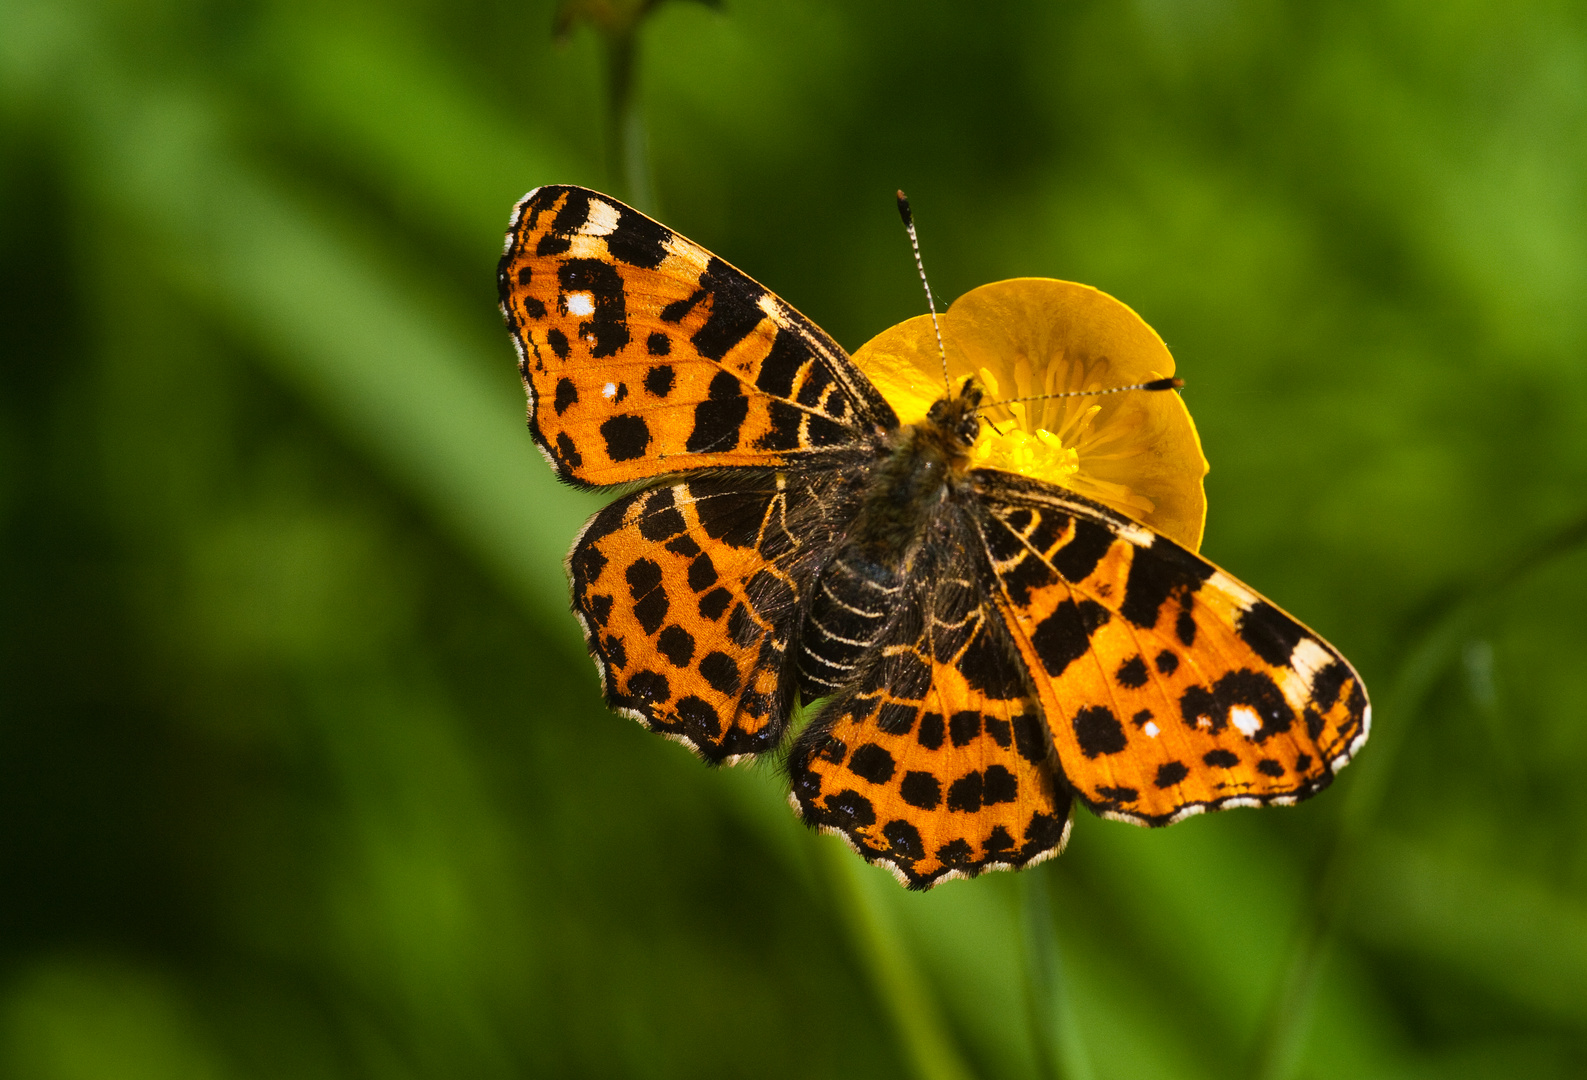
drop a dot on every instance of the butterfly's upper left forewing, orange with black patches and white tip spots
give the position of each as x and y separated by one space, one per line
644 354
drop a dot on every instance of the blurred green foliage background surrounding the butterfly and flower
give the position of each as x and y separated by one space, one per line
302 768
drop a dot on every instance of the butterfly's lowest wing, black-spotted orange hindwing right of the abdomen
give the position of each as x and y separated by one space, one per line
936 762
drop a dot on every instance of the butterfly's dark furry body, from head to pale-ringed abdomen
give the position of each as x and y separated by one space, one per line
920 470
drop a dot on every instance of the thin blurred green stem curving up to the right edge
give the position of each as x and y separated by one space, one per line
1285 1033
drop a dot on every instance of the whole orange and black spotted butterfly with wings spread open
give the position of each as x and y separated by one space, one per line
985 648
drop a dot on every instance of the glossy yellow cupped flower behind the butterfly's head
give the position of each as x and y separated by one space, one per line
1137 451
